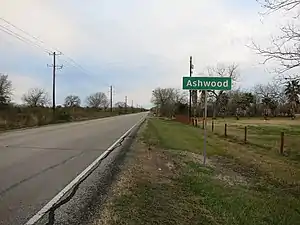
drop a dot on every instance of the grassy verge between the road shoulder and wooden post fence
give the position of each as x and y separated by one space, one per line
164 182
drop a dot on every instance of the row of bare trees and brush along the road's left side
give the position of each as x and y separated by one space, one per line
36 108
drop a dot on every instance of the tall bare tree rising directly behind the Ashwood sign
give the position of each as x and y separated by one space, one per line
222 70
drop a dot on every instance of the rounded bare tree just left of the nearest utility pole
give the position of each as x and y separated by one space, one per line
36 97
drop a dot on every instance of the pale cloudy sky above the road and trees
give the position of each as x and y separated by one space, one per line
134 45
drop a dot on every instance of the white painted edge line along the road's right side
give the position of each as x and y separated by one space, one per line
69 187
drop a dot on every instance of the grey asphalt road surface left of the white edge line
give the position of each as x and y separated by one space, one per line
35 164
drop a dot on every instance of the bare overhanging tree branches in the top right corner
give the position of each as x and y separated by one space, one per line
284 48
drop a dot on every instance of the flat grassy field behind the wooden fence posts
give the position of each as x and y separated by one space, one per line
263 134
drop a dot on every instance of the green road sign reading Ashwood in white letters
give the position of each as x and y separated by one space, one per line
206 83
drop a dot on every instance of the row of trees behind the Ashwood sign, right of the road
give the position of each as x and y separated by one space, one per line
273 99
